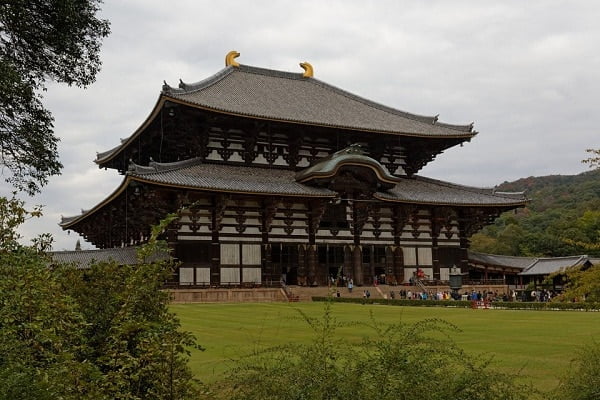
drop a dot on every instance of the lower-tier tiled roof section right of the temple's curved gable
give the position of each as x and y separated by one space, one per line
430 191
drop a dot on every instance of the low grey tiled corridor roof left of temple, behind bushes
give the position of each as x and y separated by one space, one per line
84 258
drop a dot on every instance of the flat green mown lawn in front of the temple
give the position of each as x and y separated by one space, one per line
539 344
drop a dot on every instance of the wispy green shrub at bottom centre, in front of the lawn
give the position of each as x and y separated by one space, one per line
403 361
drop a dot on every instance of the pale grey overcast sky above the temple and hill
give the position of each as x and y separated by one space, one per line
527 73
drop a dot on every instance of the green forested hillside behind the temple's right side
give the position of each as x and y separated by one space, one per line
563 216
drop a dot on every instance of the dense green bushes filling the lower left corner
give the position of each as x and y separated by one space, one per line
103 332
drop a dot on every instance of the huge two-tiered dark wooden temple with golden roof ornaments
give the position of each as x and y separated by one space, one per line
278 175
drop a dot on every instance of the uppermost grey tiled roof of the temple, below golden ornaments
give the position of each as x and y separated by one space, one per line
290 97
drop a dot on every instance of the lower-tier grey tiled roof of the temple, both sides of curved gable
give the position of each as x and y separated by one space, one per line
195 175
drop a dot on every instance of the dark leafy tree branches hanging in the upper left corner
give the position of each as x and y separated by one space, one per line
41 40
